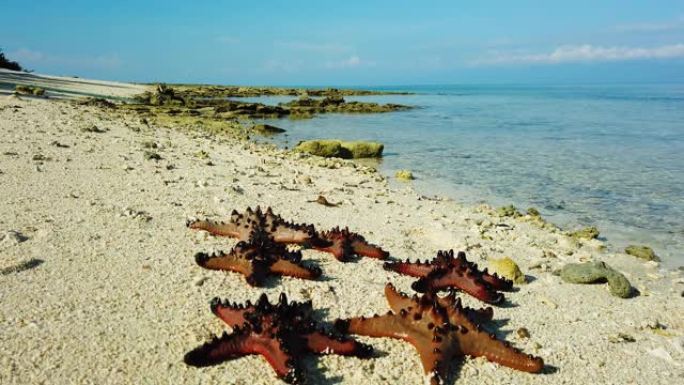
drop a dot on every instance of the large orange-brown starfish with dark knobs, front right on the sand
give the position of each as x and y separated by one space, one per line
439 330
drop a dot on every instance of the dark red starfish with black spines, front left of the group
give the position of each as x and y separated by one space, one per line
281 332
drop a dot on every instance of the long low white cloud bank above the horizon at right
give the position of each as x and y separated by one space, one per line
585 53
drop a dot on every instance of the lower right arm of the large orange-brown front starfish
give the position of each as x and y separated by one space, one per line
478 343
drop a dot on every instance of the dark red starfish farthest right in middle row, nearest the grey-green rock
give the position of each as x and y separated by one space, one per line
445 271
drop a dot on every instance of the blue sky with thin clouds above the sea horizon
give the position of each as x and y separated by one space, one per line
350 42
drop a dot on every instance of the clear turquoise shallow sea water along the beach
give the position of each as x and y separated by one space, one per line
604 155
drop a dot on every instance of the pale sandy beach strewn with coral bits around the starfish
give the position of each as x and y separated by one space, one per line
118 298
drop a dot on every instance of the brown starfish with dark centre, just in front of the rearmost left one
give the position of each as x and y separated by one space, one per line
259 258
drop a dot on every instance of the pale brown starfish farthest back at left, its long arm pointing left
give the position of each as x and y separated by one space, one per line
242 227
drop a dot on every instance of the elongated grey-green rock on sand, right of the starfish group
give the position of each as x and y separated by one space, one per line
591 272
